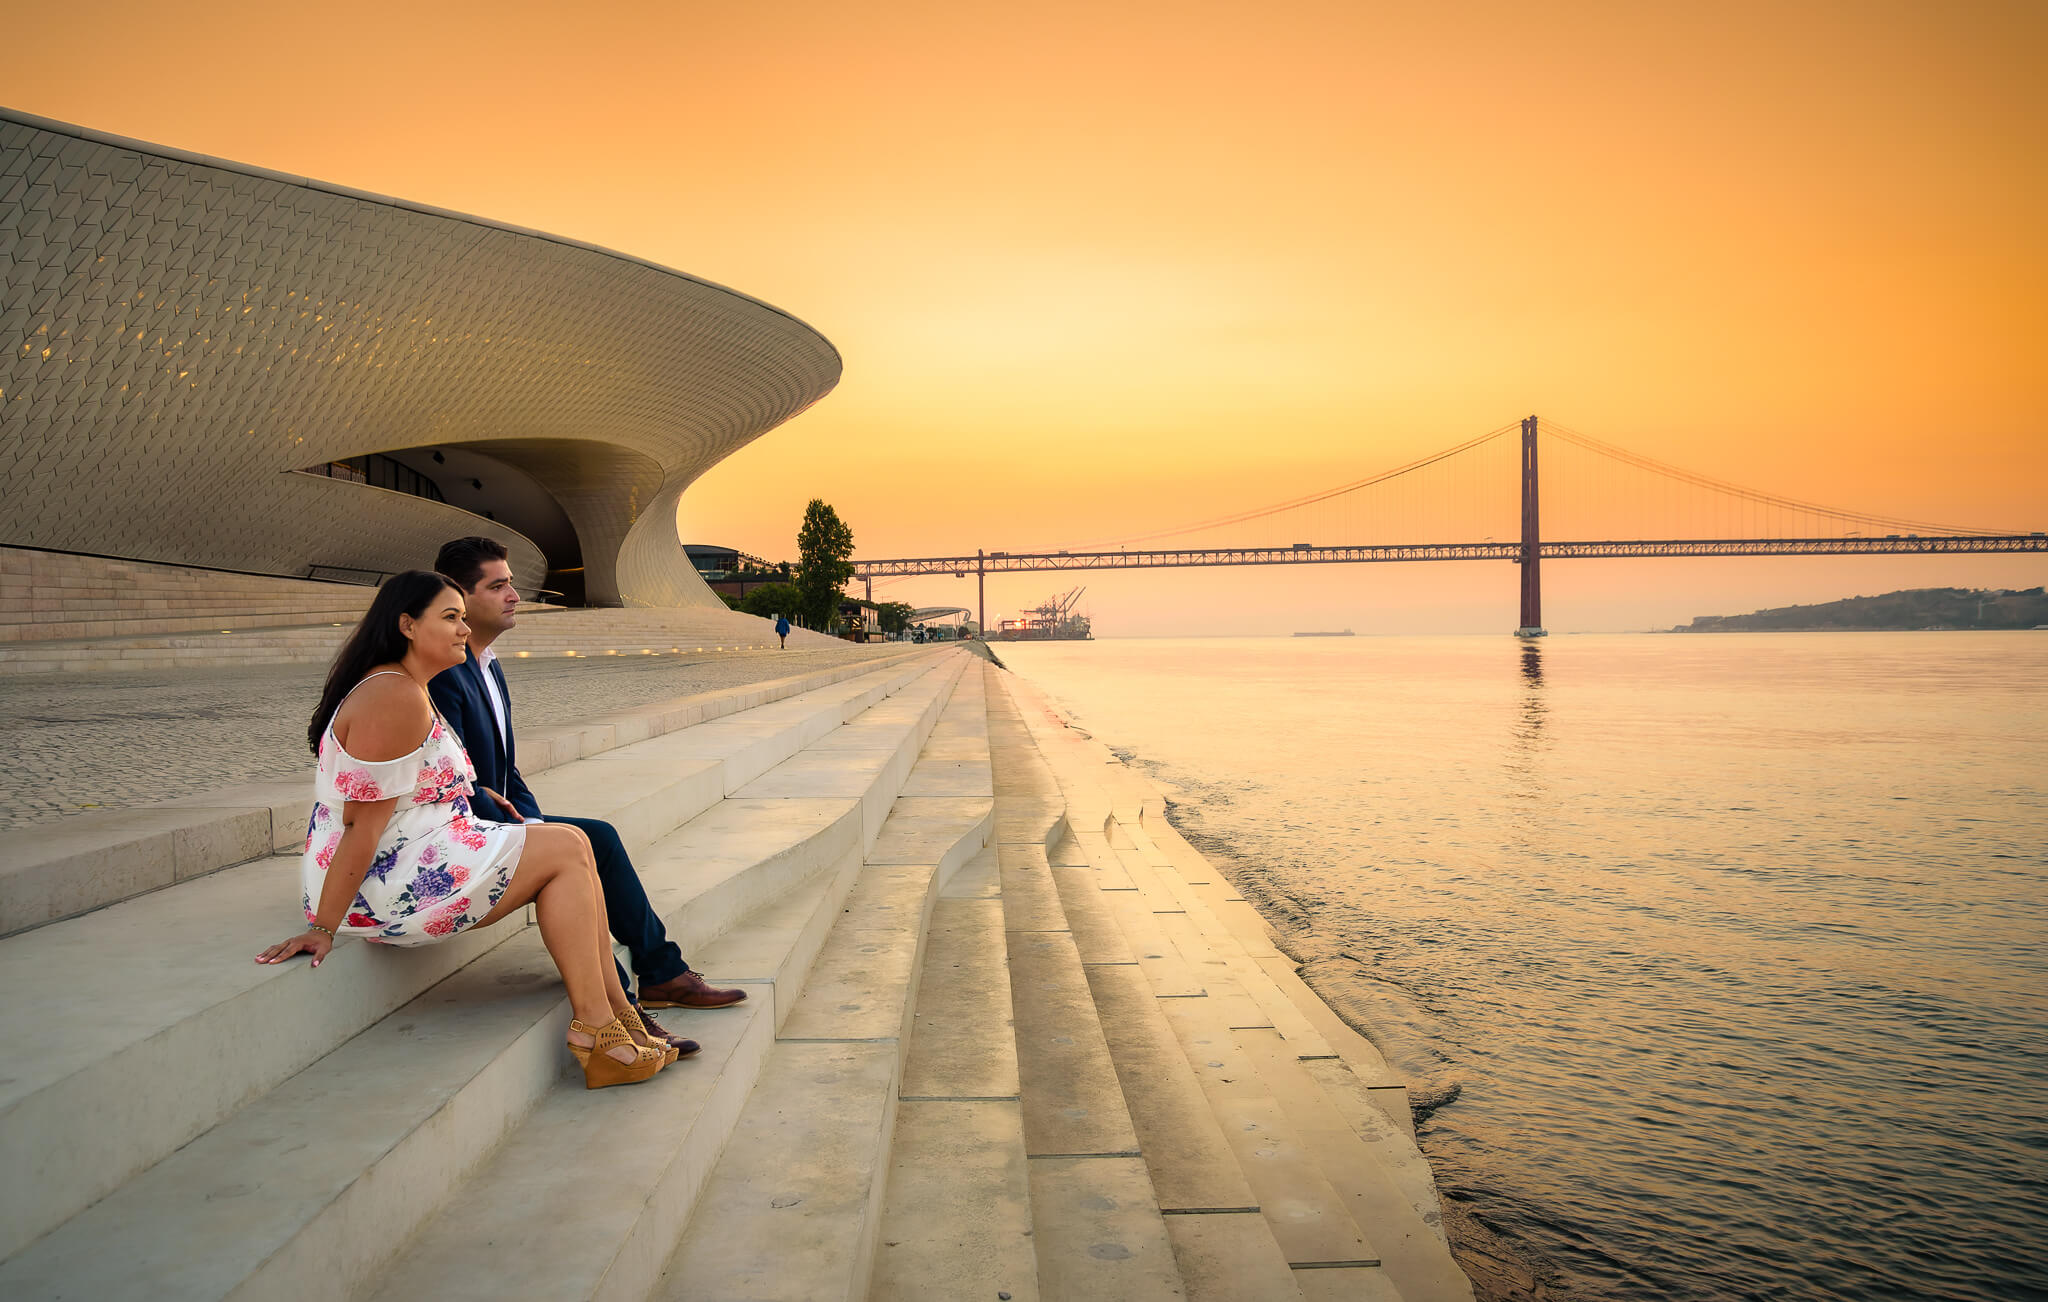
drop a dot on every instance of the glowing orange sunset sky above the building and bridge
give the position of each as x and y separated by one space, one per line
1107 269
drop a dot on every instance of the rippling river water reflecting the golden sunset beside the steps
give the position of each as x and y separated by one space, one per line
1717 963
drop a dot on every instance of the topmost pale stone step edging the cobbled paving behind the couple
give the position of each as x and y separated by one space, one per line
79 865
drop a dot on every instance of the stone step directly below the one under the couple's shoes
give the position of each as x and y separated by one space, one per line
796 1207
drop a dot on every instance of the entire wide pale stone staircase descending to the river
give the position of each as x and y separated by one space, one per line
1007 1039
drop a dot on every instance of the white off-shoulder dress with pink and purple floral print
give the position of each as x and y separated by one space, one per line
437 869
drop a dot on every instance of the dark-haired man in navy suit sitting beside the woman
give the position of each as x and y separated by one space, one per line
478 705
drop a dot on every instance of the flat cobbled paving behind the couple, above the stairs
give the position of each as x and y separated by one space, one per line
87 742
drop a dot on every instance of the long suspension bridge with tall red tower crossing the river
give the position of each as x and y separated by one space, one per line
1635 503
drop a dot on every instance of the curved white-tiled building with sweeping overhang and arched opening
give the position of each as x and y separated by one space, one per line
224 367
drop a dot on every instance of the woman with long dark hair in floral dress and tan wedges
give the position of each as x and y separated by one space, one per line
394 857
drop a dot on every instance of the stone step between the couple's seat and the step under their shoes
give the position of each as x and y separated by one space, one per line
411 1115
